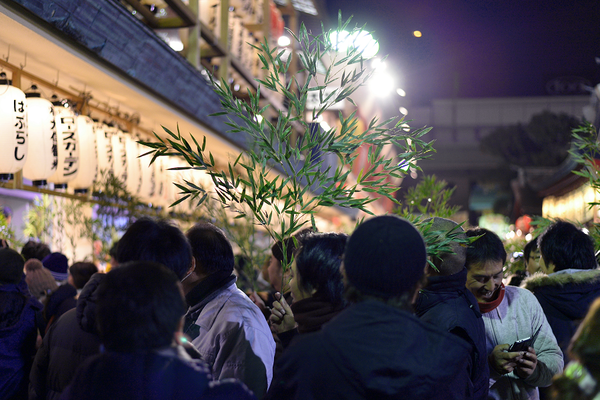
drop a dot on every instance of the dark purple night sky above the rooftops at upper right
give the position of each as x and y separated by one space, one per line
482 48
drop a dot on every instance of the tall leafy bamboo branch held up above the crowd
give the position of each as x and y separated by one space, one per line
282 182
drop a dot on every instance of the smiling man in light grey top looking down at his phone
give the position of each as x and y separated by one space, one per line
510 314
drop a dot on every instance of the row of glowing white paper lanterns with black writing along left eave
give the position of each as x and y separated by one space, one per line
50 143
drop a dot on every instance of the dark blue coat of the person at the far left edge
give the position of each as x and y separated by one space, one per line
18 333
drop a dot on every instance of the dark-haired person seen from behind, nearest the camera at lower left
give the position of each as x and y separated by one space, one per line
139 314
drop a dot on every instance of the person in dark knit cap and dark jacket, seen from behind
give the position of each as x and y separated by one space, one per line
376 348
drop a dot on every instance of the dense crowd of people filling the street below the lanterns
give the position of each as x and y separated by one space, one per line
367 316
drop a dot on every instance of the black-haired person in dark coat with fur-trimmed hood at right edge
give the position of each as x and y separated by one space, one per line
570 282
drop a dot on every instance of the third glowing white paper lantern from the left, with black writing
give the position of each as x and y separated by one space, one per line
67 147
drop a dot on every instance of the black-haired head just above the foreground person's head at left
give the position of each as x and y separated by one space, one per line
156 240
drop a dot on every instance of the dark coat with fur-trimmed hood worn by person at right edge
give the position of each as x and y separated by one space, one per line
565 297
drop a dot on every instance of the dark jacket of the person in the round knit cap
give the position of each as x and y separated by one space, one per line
371 351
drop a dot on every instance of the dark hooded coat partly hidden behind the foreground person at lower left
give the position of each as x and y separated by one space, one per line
68 343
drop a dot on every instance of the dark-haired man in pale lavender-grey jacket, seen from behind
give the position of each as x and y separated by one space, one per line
227 328
